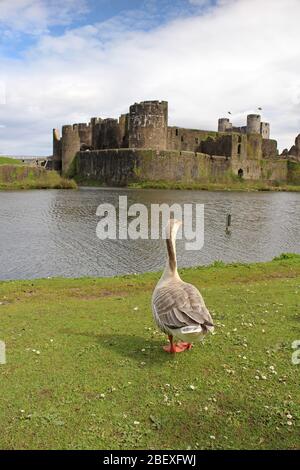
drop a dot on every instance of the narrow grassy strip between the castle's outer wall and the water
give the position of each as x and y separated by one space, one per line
229 186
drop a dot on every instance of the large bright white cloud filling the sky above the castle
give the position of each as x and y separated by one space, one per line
238 56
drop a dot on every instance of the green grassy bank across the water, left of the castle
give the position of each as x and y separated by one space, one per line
27 177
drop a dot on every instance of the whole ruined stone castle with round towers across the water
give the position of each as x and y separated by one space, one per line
140 145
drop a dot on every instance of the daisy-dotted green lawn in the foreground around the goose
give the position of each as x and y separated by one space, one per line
86 368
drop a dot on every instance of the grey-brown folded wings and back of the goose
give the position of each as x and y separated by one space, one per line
179 305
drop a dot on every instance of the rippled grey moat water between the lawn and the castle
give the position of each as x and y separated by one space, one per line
53 232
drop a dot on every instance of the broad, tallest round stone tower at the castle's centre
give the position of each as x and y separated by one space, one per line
148 125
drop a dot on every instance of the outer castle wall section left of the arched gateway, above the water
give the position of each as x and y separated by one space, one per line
122 166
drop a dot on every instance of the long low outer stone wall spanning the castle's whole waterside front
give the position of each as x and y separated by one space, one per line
120 167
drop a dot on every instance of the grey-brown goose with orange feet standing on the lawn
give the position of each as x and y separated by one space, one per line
178 307
